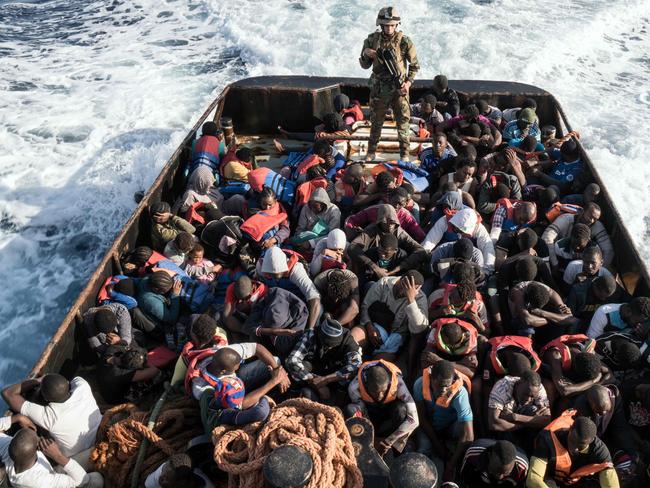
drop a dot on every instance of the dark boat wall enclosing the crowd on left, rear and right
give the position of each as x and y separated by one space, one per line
258 105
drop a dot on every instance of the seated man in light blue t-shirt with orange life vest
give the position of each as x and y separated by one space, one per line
445 415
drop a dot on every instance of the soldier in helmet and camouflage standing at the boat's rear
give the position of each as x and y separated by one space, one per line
384 50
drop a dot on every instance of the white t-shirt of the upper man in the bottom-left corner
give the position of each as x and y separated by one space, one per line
73 424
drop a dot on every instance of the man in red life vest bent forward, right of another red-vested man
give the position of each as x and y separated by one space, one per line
574 367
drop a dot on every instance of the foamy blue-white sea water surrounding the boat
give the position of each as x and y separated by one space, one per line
96 95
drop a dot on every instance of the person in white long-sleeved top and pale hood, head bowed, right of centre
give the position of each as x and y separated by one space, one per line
464 223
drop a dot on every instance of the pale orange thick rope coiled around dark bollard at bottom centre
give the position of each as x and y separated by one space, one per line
317 429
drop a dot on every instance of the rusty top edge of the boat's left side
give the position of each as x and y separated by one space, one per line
116 246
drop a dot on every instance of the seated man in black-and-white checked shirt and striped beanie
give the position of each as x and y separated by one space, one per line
324 356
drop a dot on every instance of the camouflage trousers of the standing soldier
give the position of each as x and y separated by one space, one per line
384 95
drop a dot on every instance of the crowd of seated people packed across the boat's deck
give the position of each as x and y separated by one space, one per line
466 305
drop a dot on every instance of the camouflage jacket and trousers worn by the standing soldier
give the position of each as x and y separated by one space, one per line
383 90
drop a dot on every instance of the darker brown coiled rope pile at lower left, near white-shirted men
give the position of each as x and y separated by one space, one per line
118 441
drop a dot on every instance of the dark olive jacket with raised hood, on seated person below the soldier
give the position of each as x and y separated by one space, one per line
370 238
